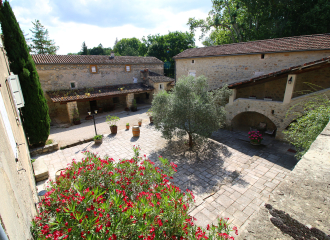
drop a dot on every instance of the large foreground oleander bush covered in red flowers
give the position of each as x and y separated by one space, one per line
99 199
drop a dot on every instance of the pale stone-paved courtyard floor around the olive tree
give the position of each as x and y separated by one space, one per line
229 177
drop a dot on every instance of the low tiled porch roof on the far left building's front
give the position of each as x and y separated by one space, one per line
99 92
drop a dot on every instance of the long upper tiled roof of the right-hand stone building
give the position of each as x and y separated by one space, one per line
288 44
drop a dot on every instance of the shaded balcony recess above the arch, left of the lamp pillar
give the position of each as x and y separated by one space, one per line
274 89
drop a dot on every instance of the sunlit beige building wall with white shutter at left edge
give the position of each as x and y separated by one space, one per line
17 185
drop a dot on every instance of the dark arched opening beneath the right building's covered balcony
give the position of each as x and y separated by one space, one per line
244 120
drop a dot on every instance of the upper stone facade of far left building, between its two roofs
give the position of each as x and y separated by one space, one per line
58 77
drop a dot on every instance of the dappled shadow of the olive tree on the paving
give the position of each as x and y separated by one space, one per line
200 169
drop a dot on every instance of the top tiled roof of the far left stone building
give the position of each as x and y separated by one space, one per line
92 59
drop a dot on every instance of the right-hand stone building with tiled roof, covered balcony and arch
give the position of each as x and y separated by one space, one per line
268 77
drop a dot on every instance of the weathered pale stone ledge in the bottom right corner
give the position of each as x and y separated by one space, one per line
299 207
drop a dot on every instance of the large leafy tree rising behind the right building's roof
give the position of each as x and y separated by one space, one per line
233 21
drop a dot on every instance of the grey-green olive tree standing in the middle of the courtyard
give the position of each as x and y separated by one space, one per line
190 109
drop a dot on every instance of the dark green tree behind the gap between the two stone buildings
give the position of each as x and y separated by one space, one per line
164 47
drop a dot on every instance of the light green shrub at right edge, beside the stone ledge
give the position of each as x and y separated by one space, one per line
310 119
